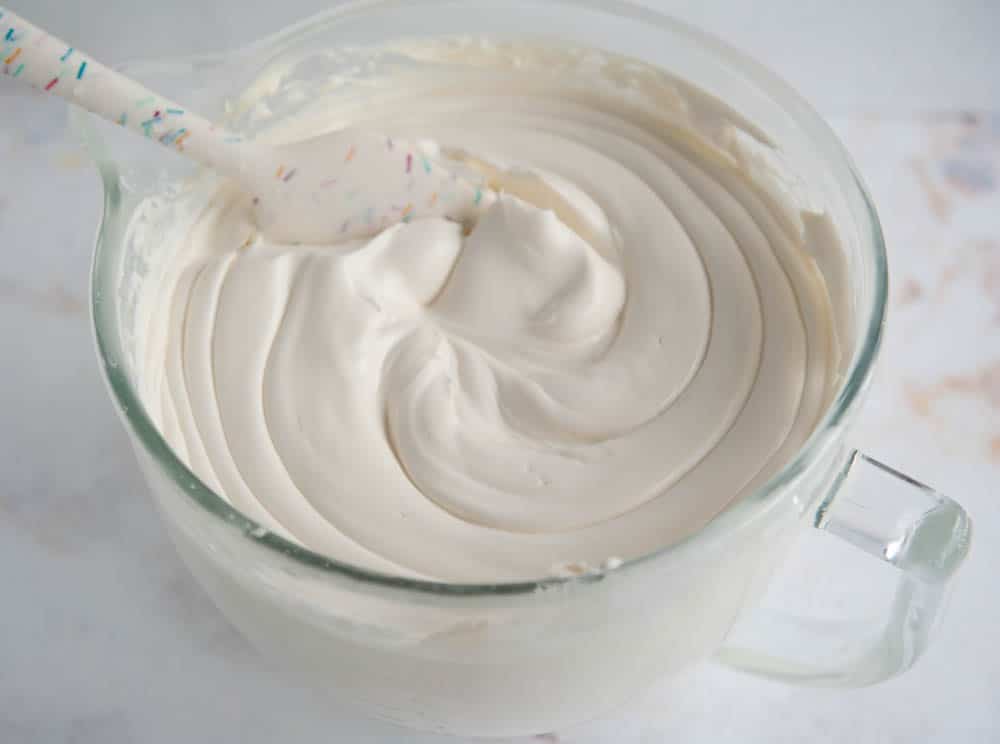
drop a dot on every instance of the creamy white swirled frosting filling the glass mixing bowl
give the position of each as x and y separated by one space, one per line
632 335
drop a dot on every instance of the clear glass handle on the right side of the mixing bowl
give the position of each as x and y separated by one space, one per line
886 514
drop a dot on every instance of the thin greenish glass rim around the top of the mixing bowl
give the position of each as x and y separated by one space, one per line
737 514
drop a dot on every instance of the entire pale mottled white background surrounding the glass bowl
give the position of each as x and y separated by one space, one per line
105 639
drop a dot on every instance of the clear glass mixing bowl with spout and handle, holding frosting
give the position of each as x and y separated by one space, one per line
521 658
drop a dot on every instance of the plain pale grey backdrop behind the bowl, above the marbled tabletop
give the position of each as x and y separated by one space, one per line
888 55
